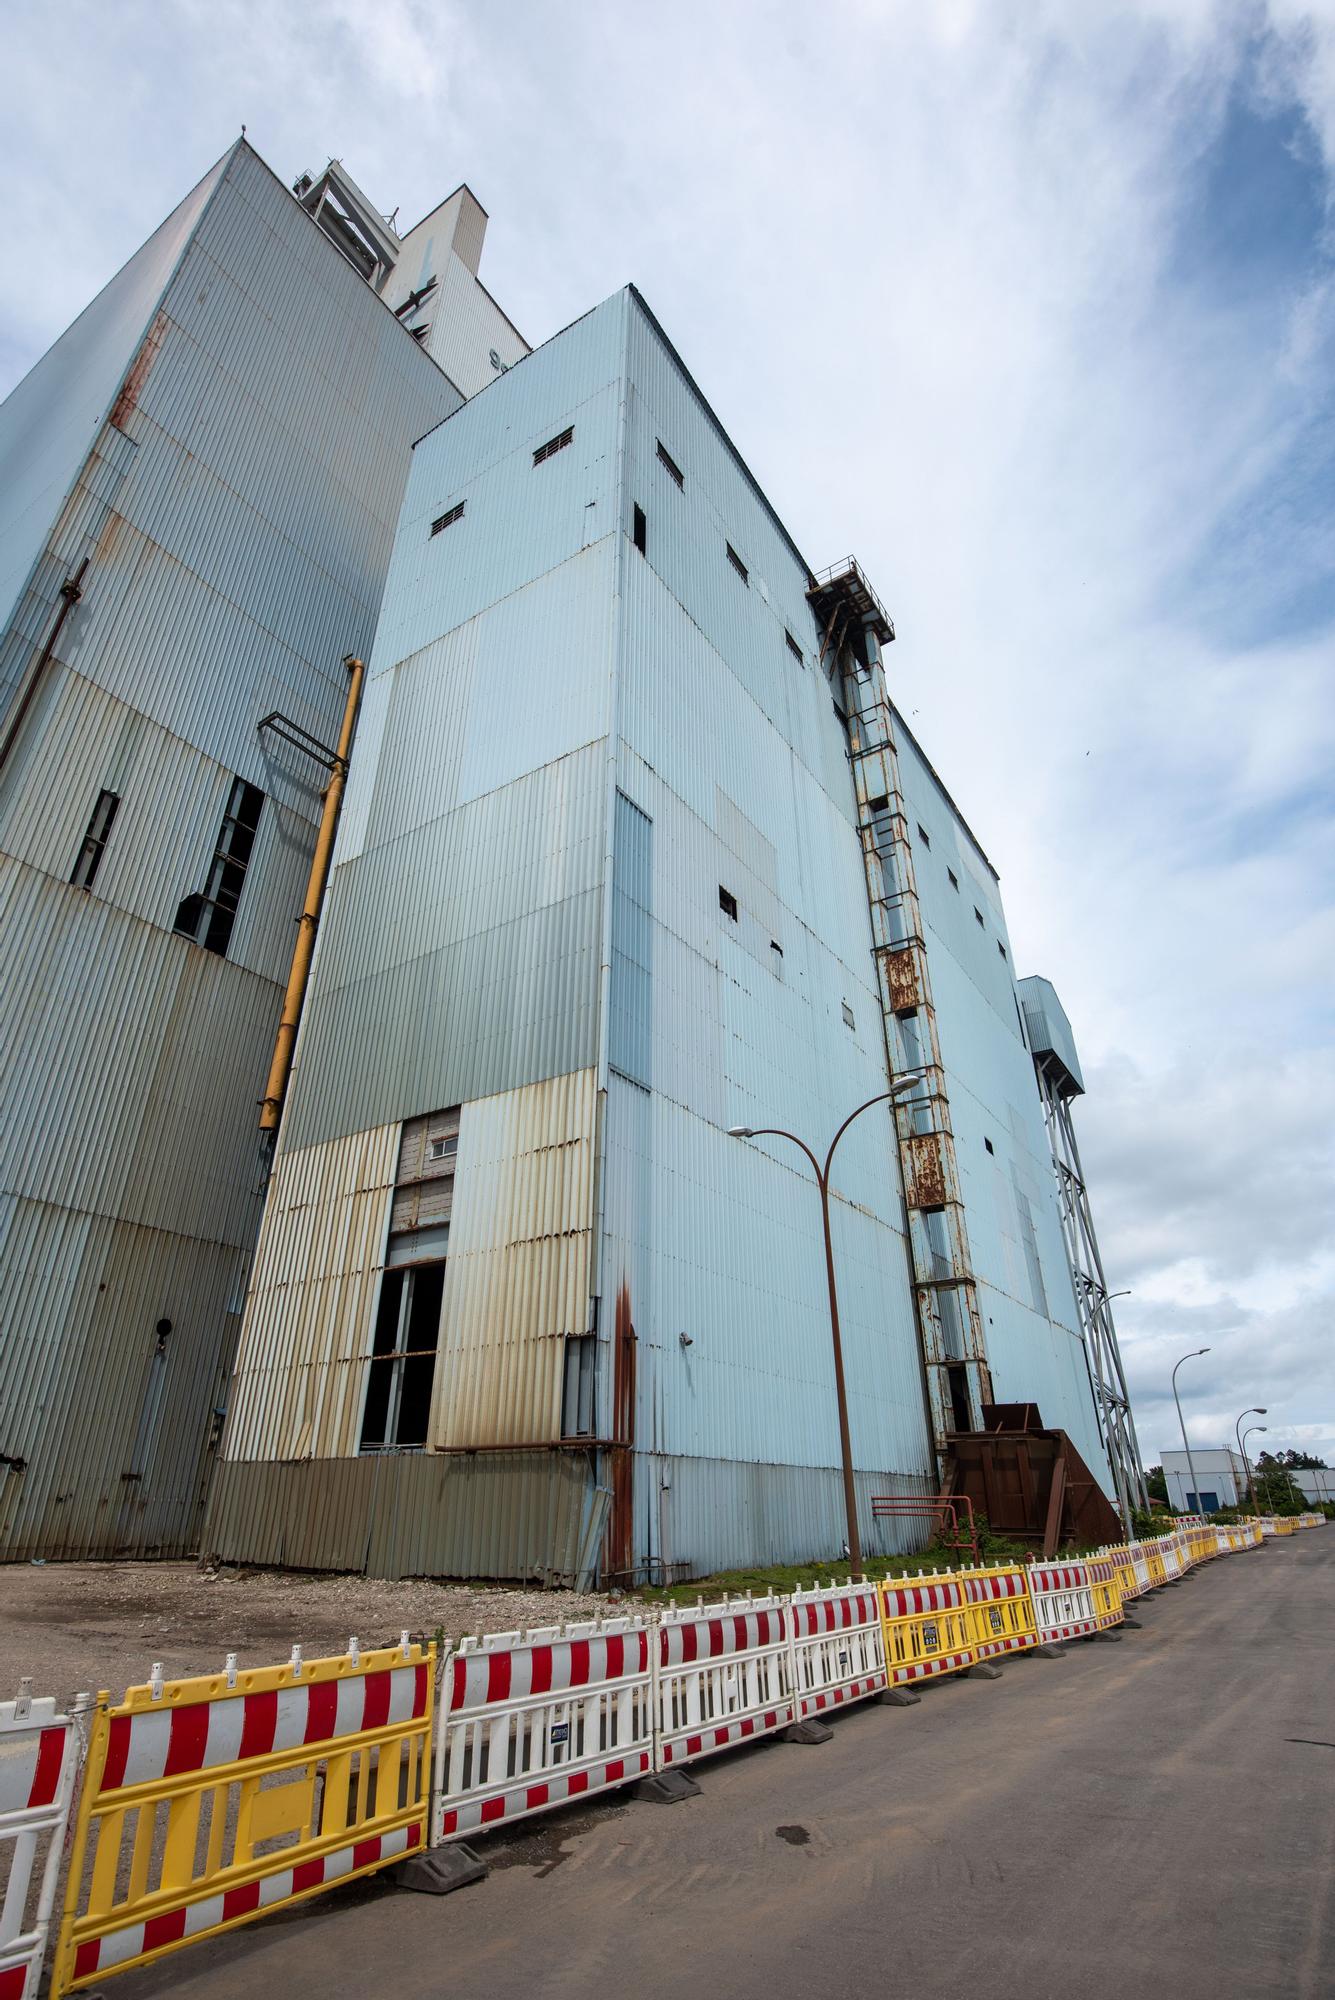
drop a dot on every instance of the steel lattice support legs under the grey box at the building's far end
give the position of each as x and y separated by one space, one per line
1092 1297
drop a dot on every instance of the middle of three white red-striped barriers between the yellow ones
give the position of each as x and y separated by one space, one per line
722 1677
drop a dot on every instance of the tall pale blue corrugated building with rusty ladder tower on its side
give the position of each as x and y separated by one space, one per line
639 863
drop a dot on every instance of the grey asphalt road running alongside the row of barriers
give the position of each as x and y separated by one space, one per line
1152 1817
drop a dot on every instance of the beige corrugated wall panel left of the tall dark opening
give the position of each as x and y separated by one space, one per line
309 1317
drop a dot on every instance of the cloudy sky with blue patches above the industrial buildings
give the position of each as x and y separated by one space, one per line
1032 307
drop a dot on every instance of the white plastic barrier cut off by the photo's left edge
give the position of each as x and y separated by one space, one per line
39 1761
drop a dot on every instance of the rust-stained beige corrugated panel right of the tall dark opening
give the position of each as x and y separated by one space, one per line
519 1273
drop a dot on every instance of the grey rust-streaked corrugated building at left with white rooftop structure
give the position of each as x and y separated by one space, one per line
199 493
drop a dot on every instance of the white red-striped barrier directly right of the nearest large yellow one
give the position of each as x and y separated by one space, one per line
535 1719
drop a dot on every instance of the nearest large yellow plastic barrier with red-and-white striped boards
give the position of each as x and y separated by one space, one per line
213 1801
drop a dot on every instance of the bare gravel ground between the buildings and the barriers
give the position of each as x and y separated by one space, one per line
103 1625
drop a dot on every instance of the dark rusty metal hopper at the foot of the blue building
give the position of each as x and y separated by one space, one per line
1030 1483
